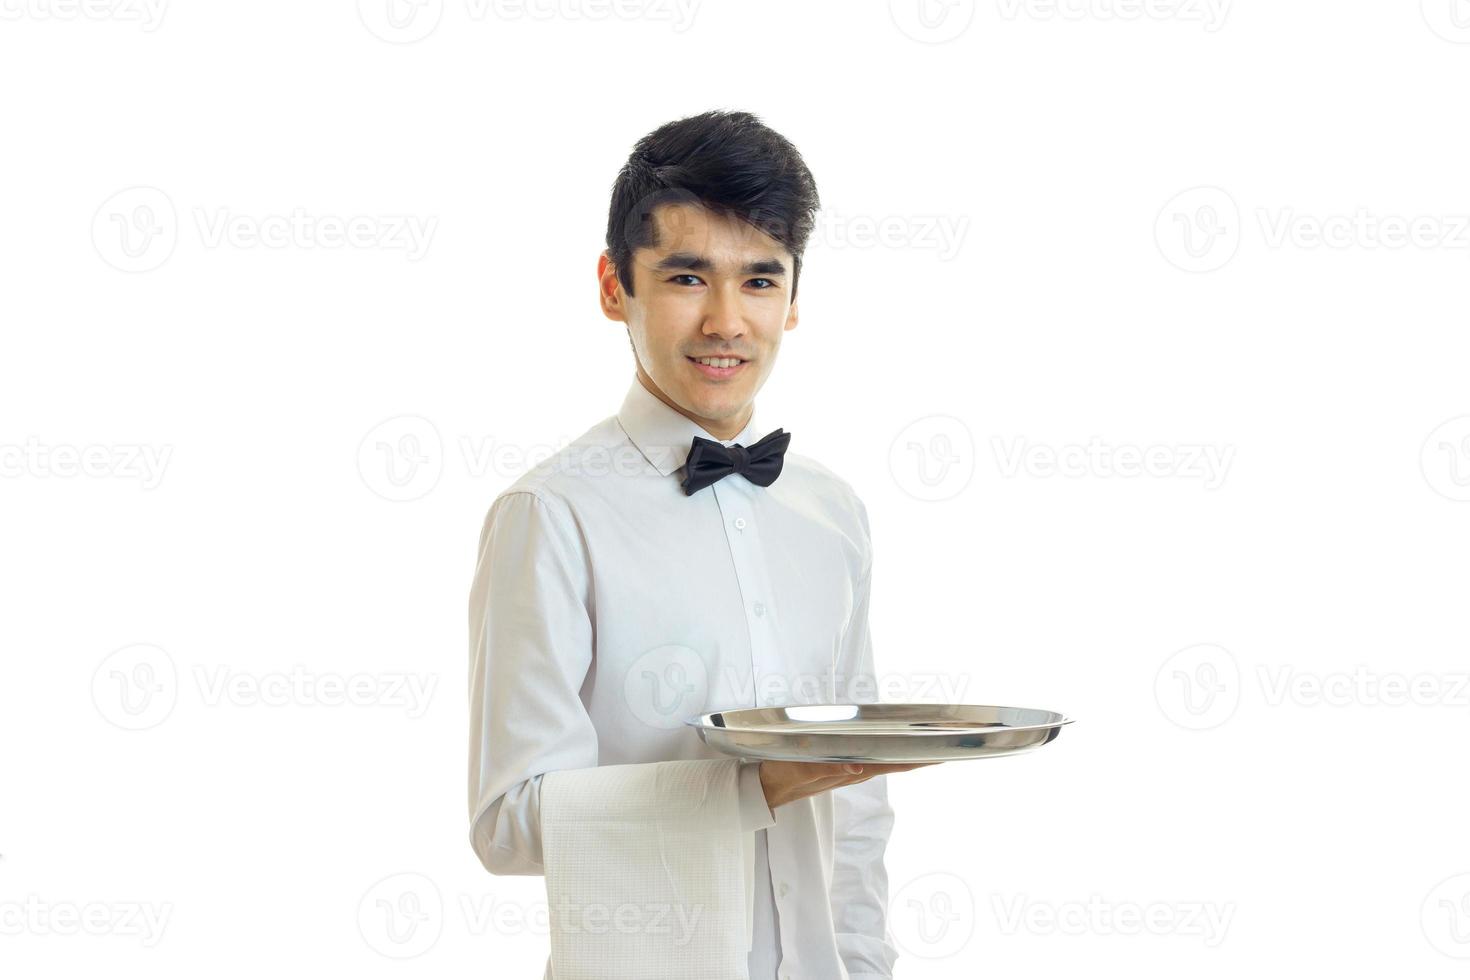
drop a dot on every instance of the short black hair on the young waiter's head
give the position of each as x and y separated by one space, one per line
728 162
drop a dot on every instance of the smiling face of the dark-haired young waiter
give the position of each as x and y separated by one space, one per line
712 286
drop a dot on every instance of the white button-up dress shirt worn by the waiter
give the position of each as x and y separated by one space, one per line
609 608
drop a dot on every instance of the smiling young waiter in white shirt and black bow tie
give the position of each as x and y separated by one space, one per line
677 561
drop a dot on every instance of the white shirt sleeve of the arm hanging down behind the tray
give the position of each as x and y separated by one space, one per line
862 822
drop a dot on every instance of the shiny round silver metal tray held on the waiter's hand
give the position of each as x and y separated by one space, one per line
878 732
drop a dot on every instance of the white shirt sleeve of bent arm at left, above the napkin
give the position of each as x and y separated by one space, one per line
531 649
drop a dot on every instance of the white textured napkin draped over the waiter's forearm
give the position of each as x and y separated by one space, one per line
649 871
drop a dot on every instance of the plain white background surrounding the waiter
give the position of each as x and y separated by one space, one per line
1243 774
